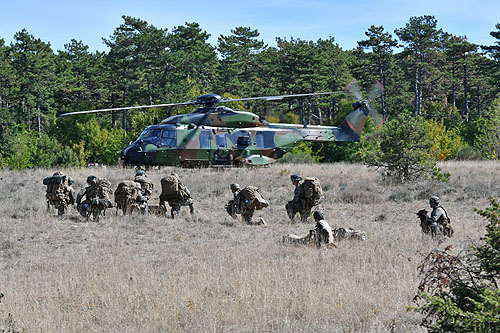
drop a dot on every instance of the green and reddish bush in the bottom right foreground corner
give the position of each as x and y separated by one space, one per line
459 294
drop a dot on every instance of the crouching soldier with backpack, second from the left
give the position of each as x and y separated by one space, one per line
97 198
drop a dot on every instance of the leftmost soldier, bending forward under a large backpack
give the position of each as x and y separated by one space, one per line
59 192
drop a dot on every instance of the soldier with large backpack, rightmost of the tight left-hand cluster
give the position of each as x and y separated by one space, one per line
176 194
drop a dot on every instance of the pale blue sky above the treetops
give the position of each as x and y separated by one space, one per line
347 21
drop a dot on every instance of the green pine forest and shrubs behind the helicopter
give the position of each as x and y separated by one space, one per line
438 85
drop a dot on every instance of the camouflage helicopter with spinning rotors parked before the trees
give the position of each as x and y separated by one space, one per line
215 135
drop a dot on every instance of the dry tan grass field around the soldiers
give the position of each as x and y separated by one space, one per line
213 274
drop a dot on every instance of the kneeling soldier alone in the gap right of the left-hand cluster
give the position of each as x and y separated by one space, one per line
244 206
